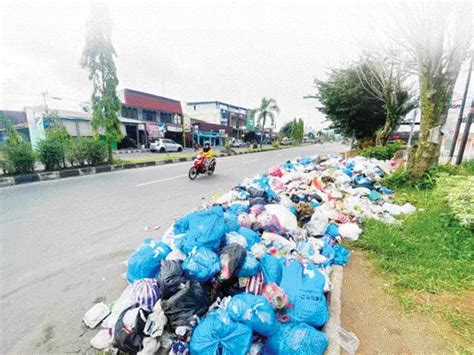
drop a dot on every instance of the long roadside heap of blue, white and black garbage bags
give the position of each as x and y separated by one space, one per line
248 272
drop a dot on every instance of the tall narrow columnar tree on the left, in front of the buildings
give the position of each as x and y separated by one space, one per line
98 59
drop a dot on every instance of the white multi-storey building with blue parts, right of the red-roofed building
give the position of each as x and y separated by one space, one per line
223 117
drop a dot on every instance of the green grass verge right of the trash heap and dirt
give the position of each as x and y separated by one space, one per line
428 258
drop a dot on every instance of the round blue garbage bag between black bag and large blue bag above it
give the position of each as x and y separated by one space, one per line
201 264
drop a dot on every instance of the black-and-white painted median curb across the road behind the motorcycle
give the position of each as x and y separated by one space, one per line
54 175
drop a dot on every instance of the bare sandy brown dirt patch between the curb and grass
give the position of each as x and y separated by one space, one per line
379 322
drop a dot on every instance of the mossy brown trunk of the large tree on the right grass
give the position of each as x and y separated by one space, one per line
433 97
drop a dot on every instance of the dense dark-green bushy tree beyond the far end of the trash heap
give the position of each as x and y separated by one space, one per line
348 105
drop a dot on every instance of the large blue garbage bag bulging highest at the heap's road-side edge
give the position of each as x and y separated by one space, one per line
202 228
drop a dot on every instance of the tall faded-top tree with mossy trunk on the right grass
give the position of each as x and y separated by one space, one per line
433 37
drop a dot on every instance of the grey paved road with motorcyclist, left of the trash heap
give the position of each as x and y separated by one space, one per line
63 242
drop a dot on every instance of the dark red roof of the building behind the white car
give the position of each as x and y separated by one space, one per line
151 102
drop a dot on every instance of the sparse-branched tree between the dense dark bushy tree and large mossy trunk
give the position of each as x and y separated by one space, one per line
387 83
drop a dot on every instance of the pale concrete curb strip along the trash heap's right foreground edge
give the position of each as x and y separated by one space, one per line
334 304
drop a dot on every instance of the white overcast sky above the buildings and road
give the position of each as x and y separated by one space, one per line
235 52
